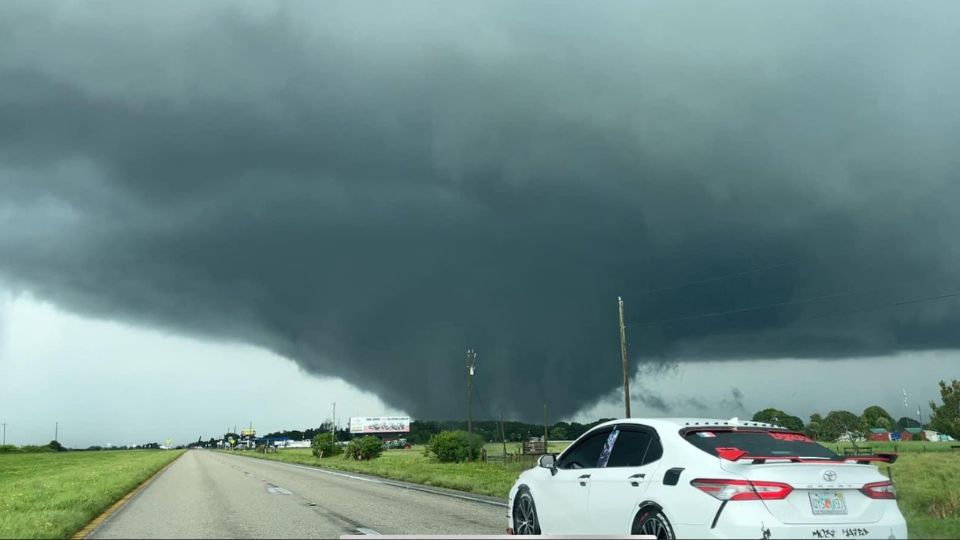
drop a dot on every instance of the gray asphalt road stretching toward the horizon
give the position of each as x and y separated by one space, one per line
213 495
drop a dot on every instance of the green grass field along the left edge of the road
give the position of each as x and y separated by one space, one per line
53 495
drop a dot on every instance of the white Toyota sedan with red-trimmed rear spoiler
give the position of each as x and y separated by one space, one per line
694 478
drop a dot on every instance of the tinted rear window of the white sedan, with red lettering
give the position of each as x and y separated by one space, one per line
759 443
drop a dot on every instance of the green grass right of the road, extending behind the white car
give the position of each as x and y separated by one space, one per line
927 476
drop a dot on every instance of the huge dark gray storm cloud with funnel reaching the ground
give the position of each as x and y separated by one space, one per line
372 189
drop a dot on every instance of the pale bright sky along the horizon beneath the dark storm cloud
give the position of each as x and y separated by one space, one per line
108 382
